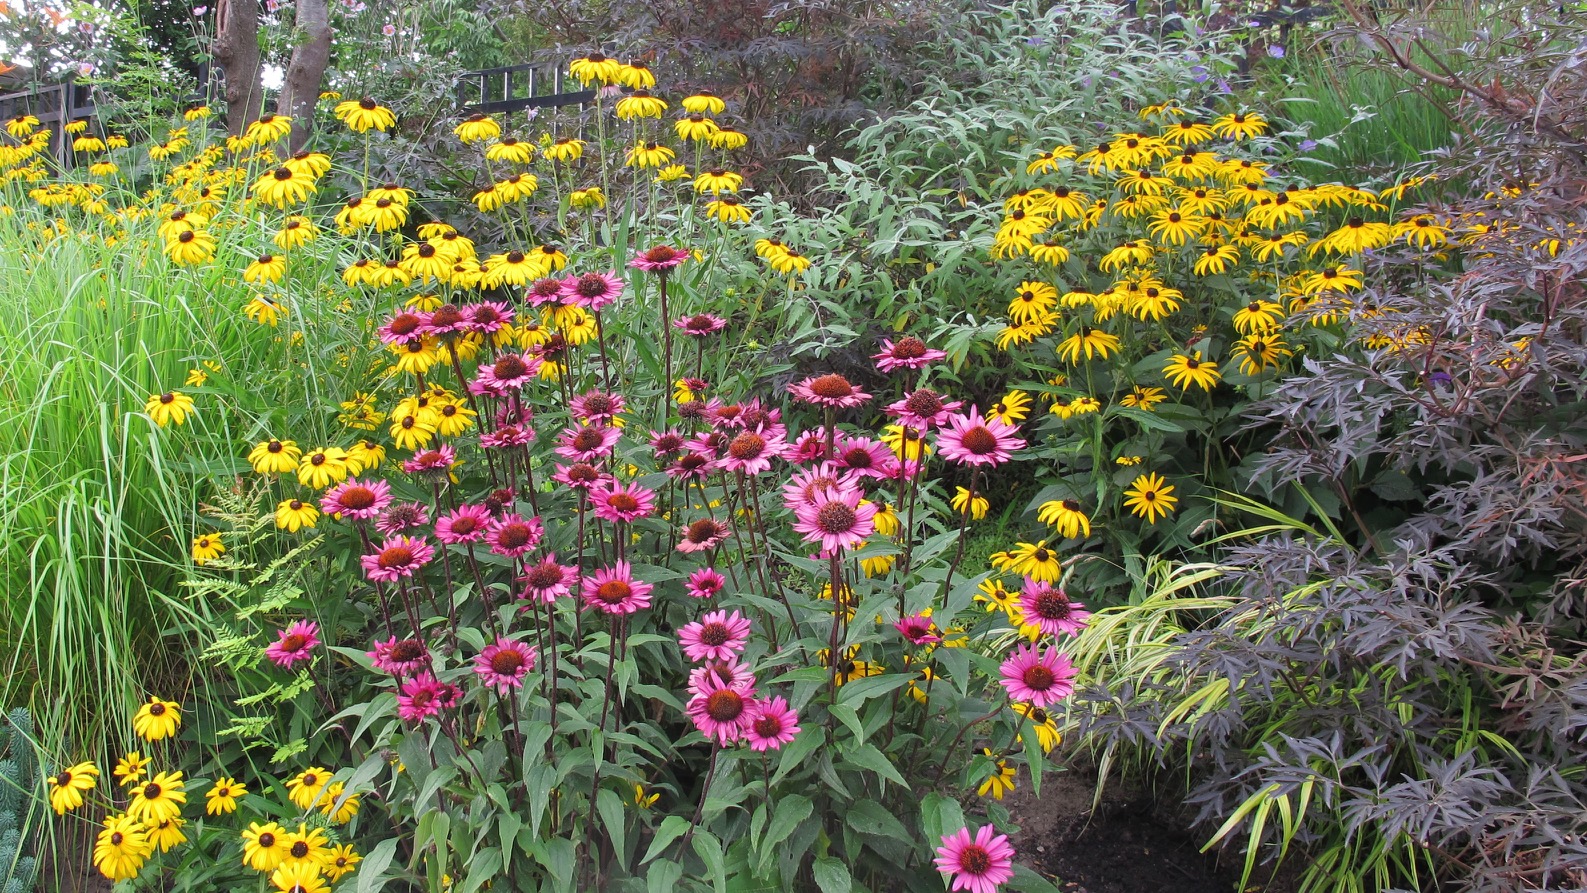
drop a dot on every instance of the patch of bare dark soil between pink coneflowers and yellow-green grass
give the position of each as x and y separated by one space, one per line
1129 845
